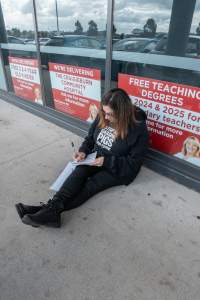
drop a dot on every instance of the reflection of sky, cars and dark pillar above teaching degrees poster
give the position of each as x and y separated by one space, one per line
160 21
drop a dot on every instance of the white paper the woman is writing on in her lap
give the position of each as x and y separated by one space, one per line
69 169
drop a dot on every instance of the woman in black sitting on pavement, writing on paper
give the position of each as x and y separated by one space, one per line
120 138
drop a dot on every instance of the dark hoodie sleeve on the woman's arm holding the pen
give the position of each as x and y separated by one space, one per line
88 143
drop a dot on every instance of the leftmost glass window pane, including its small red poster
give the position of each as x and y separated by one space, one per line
19 50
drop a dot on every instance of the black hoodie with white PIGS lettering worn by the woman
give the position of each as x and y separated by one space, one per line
122 157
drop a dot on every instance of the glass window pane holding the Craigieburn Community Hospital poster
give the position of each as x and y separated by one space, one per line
73 59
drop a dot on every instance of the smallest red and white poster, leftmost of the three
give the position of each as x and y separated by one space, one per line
25 78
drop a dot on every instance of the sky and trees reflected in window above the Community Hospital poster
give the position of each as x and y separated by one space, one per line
61 18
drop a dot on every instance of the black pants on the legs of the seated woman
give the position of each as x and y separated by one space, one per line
83 183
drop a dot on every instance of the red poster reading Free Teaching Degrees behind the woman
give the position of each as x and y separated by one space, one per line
173 112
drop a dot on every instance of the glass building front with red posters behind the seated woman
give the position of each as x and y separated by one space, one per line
58 57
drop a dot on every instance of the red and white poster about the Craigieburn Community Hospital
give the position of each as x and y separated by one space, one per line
76 90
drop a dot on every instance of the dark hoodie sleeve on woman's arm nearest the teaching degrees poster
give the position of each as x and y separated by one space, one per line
129 165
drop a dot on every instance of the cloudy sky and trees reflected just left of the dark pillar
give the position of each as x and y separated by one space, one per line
141 18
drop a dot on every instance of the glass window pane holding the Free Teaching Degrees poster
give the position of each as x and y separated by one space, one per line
160 70
